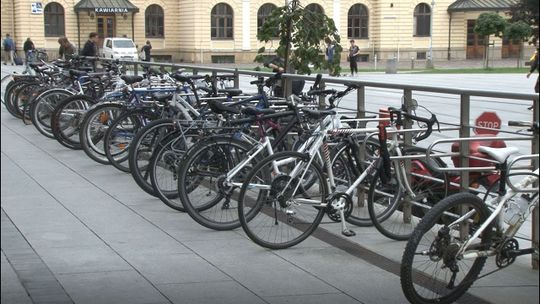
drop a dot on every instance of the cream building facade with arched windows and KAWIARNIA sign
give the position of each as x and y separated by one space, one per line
204 31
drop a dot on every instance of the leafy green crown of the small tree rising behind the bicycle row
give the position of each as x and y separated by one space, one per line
301 34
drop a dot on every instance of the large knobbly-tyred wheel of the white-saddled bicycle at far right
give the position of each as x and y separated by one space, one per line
431 272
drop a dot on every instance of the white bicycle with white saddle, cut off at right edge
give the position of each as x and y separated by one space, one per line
449 248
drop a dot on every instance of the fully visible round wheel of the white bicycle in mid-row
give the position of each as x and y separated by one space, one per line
275 208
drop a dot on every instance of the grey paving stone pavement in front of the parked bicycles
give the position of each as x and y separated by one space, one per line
74 231
